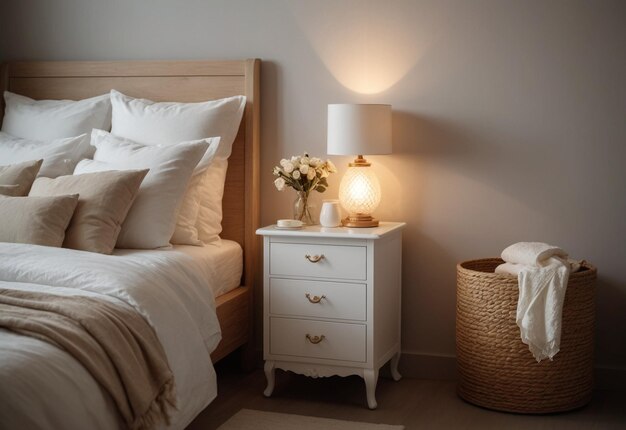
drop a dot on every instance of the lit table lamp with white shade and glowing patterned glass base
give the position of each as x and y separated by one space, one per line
357 129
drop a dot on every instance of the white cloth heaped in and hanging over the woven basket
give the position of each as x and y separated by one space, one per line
542 272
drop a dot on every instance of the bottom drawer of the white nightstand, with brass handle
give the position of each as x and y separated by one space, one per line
318 339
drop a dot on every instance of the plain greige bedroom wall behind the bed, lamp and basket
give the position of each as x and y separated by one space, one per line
509 117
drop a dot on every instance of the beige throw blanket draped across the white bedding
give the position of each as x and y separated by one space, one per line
113 342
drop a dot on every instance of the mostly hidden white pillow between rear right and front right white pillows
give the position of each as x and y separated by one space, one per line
185 232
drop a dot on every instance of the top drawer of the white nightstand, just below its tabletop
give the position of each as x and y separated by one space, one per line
318 261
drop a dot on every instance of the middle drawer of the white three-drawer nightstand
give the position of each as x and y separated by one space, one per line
320 299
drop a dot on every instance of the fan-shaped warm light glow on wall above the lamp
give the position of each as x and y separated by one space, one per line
368 46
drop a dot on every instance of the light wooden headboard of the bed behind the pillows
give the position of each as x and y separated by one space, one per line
179 81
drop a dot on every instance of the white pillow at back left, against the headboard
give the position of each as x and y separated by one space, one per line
54 119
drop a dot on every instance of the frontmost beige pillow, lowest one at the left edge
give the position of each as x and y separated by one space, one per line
36 220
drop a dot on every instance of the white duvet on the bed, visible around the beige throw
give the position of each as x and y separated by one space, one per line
43 387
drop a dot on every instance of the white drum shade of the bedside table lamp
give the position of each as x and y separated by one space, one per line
359 129
